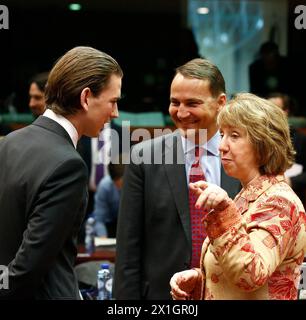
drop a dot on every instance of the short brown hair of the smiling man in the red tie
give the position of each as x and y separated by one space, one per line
204 70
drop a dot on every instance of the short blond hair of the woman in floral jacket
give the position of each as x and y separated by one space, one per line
267 129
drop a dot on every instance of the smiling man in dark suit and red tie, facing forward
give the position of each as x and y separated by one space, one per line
154 236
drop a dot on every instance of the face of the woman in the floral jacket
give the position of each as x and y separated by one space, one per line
238 155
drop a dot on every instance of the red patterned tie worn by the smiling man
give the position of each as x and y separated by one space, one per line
198 233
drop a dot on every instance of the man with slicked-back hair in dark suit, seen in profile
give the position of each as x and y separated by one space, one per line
44 197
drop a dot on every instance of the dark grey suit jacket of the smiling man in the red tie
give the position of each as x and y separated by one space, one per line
154 232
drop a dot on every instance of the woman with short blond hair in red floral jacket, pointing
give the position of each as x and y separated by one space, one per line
256 243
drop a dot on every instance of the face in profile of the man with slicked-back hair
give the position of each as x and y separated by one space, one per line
102 108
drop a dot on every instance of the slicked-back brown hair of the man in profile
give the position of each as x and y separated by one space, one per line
77 69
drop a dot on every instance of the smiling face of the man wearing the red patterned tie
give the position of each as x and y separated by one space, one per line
192 105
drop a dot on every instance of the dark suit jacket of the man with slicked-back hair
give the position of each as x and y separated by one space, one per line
42 200
